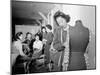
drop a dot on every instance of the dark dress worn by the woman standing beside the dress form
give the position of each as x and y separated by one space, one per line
57 57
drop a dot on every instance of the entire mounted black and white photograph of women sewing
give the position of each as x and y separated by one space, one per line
52 37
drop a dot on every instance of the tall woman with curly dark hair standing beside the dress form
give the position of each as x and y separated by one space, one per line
61 41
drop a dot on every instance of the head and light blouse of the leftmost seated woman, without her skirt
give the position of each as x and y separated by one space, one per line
17 47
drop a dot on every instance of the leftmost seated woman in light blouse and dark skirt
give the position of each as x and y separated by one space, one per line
17 54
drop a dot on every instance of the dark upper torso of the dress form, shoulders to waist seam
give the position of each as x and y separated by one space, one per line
79 38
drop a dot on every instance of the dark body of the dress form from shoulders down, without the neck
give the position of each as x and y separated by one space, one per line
79 39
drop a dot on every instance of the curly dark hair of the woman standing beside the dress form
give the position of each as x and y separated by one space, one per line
61 14
